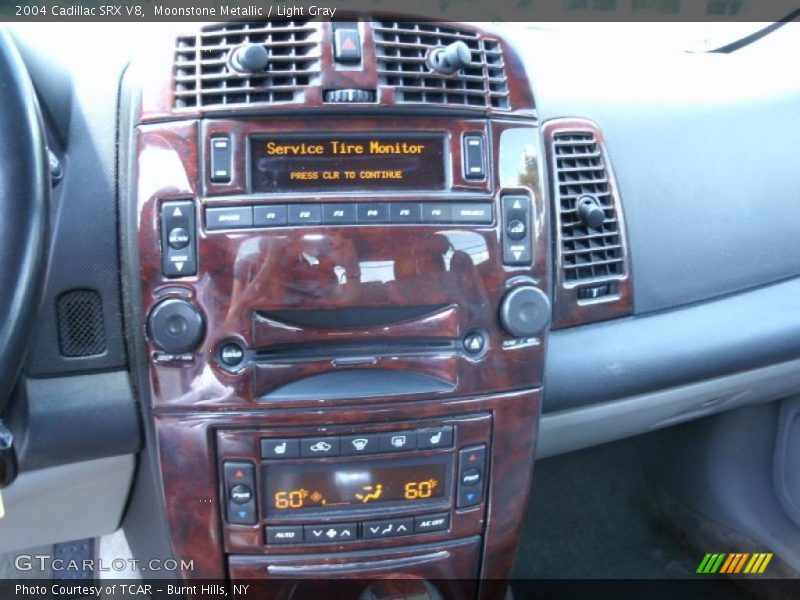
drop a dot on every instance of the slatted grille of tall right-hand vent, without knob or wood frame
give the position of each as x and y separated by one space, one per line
588 254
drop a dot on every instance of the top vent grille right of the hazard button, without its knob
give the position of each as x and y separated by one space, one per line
402 58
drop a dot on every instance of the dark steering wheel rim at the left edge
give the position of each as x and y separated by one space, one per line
24 193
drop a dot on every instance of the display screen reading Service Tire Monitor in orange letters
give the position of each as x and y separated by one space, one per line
342 163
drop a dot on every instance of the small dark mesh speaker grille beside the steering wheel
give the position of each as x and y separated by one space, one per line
81 330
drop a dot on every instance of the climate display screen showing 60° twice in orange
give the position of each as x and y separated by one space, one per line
334 486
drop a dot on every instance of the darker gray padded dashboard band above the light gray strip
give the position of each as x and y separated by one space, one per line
628 357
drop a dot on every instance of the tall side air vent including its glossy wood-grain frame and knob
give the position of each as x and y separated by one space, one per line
592 252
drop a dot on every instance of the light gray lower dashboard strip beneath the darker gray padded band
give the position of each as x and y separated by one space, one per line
578 428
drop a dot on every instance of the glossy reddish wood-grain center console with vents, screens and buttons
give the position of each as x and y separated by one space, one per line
343 296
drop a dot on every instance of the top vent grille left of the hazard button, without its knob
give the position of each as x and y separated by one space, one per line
204 78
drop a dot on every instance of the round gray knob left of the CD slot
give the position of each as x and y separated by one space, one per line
175 326
